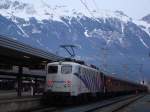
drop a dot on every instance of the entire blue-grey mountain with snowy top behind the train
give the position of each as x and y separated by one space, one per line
111 40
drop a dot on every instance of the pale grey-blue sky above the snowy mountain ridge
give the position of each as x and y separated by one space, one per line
135 9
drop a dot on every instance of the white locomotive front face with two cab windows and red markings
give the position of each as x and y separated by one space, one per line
59 79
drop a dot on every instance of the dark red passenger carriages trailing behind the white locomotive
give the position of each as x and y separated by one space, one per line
116 86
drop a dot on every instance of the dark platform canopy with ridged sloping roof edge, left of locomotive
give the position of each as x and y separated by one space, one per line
17 53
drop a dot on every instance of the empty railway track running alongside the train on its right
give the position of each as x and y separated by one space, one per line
112 105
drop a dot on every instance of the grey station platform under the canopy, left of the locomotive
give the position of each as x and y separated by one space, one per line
18 104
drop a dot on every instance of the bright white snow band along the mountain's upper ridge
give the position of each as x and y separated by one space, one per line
42 10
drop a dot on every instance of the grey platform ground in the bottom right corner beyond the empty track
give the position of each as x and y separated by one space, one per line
142 105
